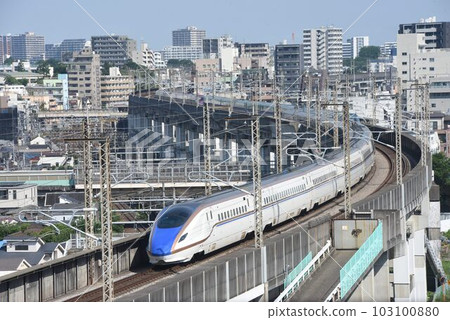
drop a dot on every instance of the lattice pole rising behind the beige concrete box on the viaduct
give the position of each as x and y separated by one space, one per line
347 161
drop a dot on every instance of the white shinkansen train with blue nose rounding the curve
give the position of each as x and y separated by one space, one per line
210 223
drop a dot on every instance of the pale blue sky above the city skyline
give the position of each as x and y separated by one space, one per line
246 21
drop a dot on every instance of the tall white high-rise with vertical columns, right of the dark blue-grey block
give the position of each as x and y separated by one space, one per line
323 49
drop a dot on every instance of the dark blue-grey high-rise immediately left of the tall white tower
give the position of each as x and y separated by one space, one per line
288 68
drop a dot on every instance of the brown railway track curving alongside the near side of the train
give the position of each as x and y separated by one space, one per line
153 274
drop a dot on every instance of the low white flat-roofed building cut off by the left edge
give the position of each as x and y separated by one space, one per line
15 195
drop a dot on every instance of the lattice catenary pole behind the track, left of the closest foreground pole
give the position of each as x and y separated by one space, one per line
88 196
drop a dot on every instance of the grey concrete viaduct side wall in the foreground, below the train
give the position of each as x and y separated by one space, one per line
233 275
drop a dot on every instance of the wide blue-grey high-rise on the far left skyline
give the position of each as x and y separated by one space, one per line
28 46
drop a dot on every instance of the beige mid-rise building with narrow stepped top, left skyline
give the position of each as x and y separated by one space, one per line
84 78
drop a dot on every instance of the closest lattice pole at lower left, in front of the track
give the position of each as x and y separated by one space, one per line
106 219
